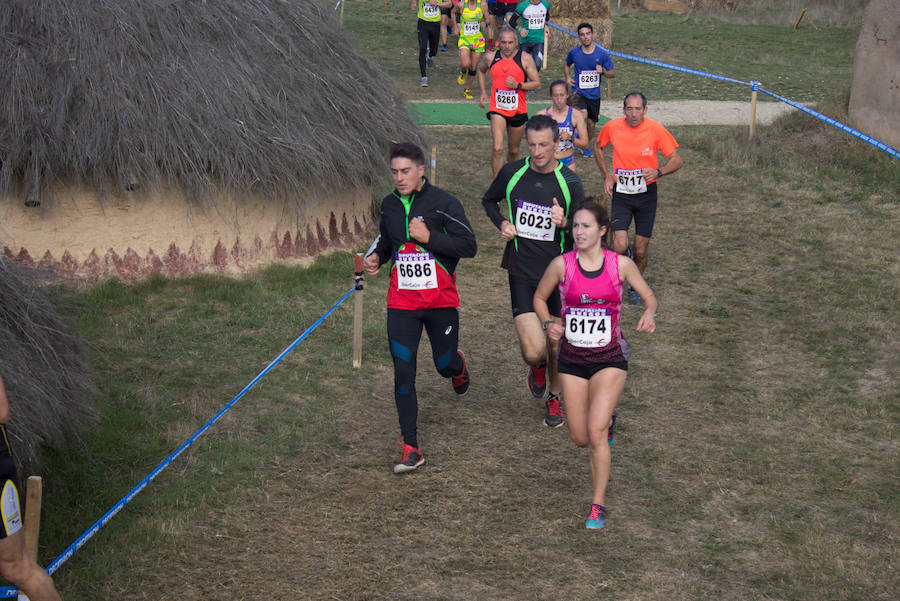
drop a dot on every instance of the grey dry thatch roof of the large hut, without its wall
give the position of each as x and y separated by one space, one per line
267 96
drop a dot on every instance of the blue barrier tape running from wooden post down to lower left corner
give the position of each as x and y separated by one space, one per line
81 540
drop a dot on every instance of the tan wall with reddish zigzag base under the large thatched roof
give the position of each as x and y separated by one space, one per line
78 237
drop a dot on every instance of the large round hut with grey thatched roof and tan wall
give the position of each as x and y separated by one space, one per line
170 136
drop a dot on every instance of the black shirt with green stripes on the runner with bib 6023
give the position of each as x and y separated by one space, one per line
525 257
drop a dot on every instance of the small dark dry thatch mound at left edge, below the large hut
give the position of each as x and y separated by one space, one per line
44 368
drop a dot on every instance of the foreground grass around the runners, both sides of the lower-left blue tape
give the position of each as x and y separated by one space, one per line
756 453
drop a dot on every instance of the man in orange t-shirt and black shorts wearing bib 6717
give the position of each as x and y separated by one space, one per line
636 143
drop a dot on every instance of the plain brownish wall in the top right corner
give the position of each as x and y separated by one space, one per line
875 92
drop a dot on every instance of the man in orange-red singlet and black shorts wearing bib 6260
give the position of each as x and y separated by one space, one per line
513 74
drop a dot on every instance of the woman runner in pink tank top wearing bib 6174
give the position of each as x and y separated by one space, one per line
593 354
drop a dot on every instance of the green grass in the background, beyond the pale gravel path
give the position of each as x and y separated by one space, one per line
758 44
